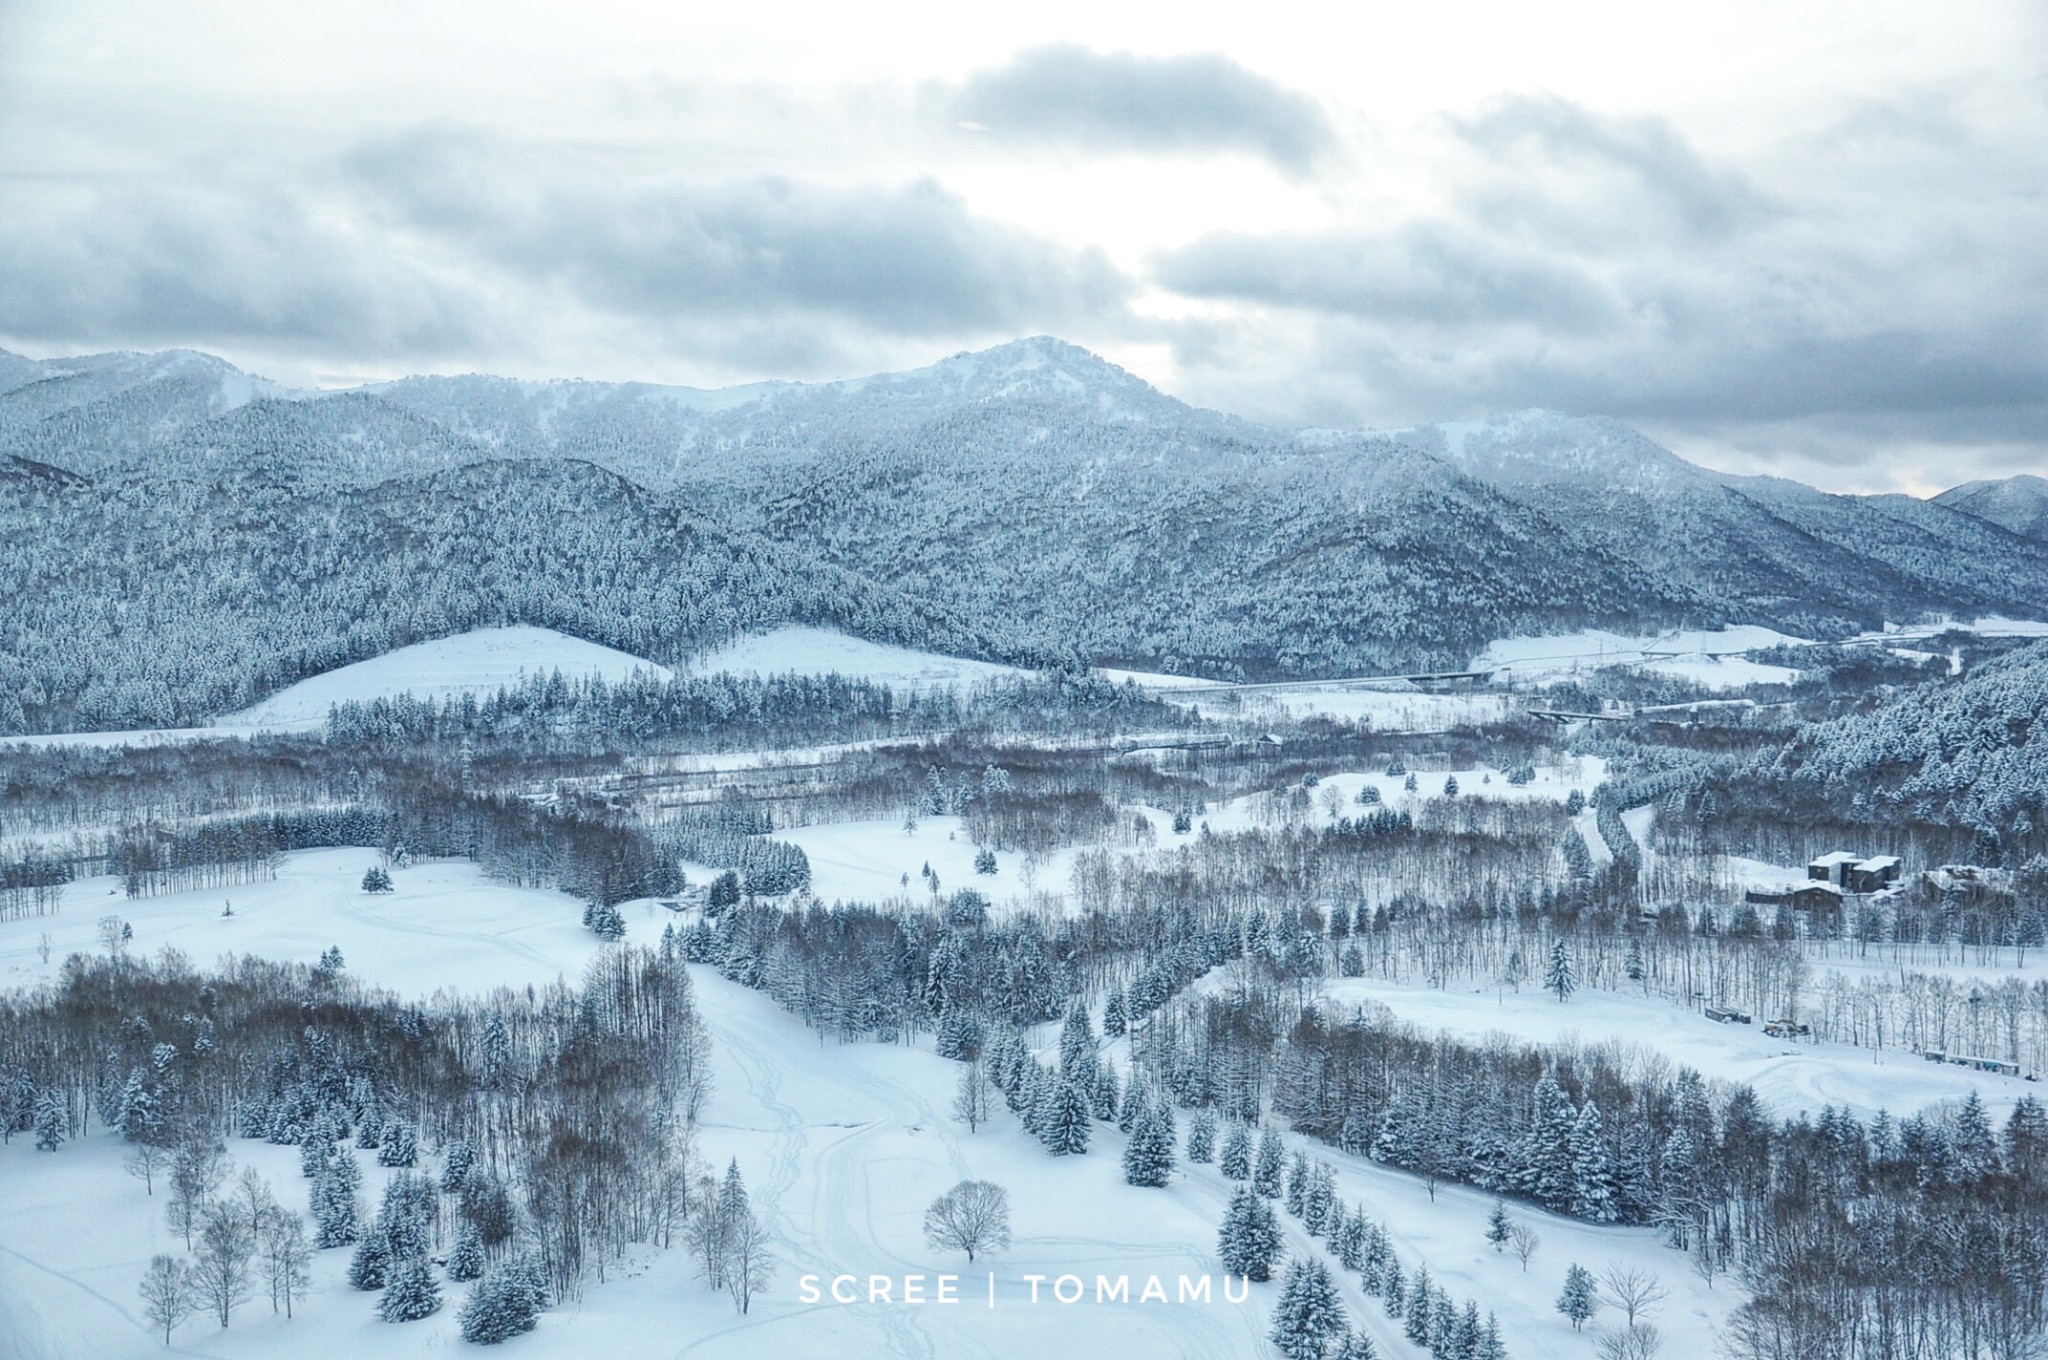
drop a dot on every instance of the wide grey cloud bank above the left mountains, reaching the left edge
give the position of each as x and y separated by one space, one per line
450 247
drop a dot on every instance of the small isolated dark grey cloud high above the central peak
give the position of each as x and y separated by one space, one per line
1127 103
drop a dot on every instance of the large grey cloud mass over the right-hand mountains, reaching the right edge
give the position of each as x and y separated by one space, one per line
1846 296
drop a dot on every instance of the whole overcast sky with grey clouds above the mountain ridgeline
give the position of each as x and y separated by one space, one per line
1797 237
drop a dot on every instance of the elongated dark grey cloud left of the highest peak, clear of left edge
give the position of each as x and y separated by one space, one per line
906 261
